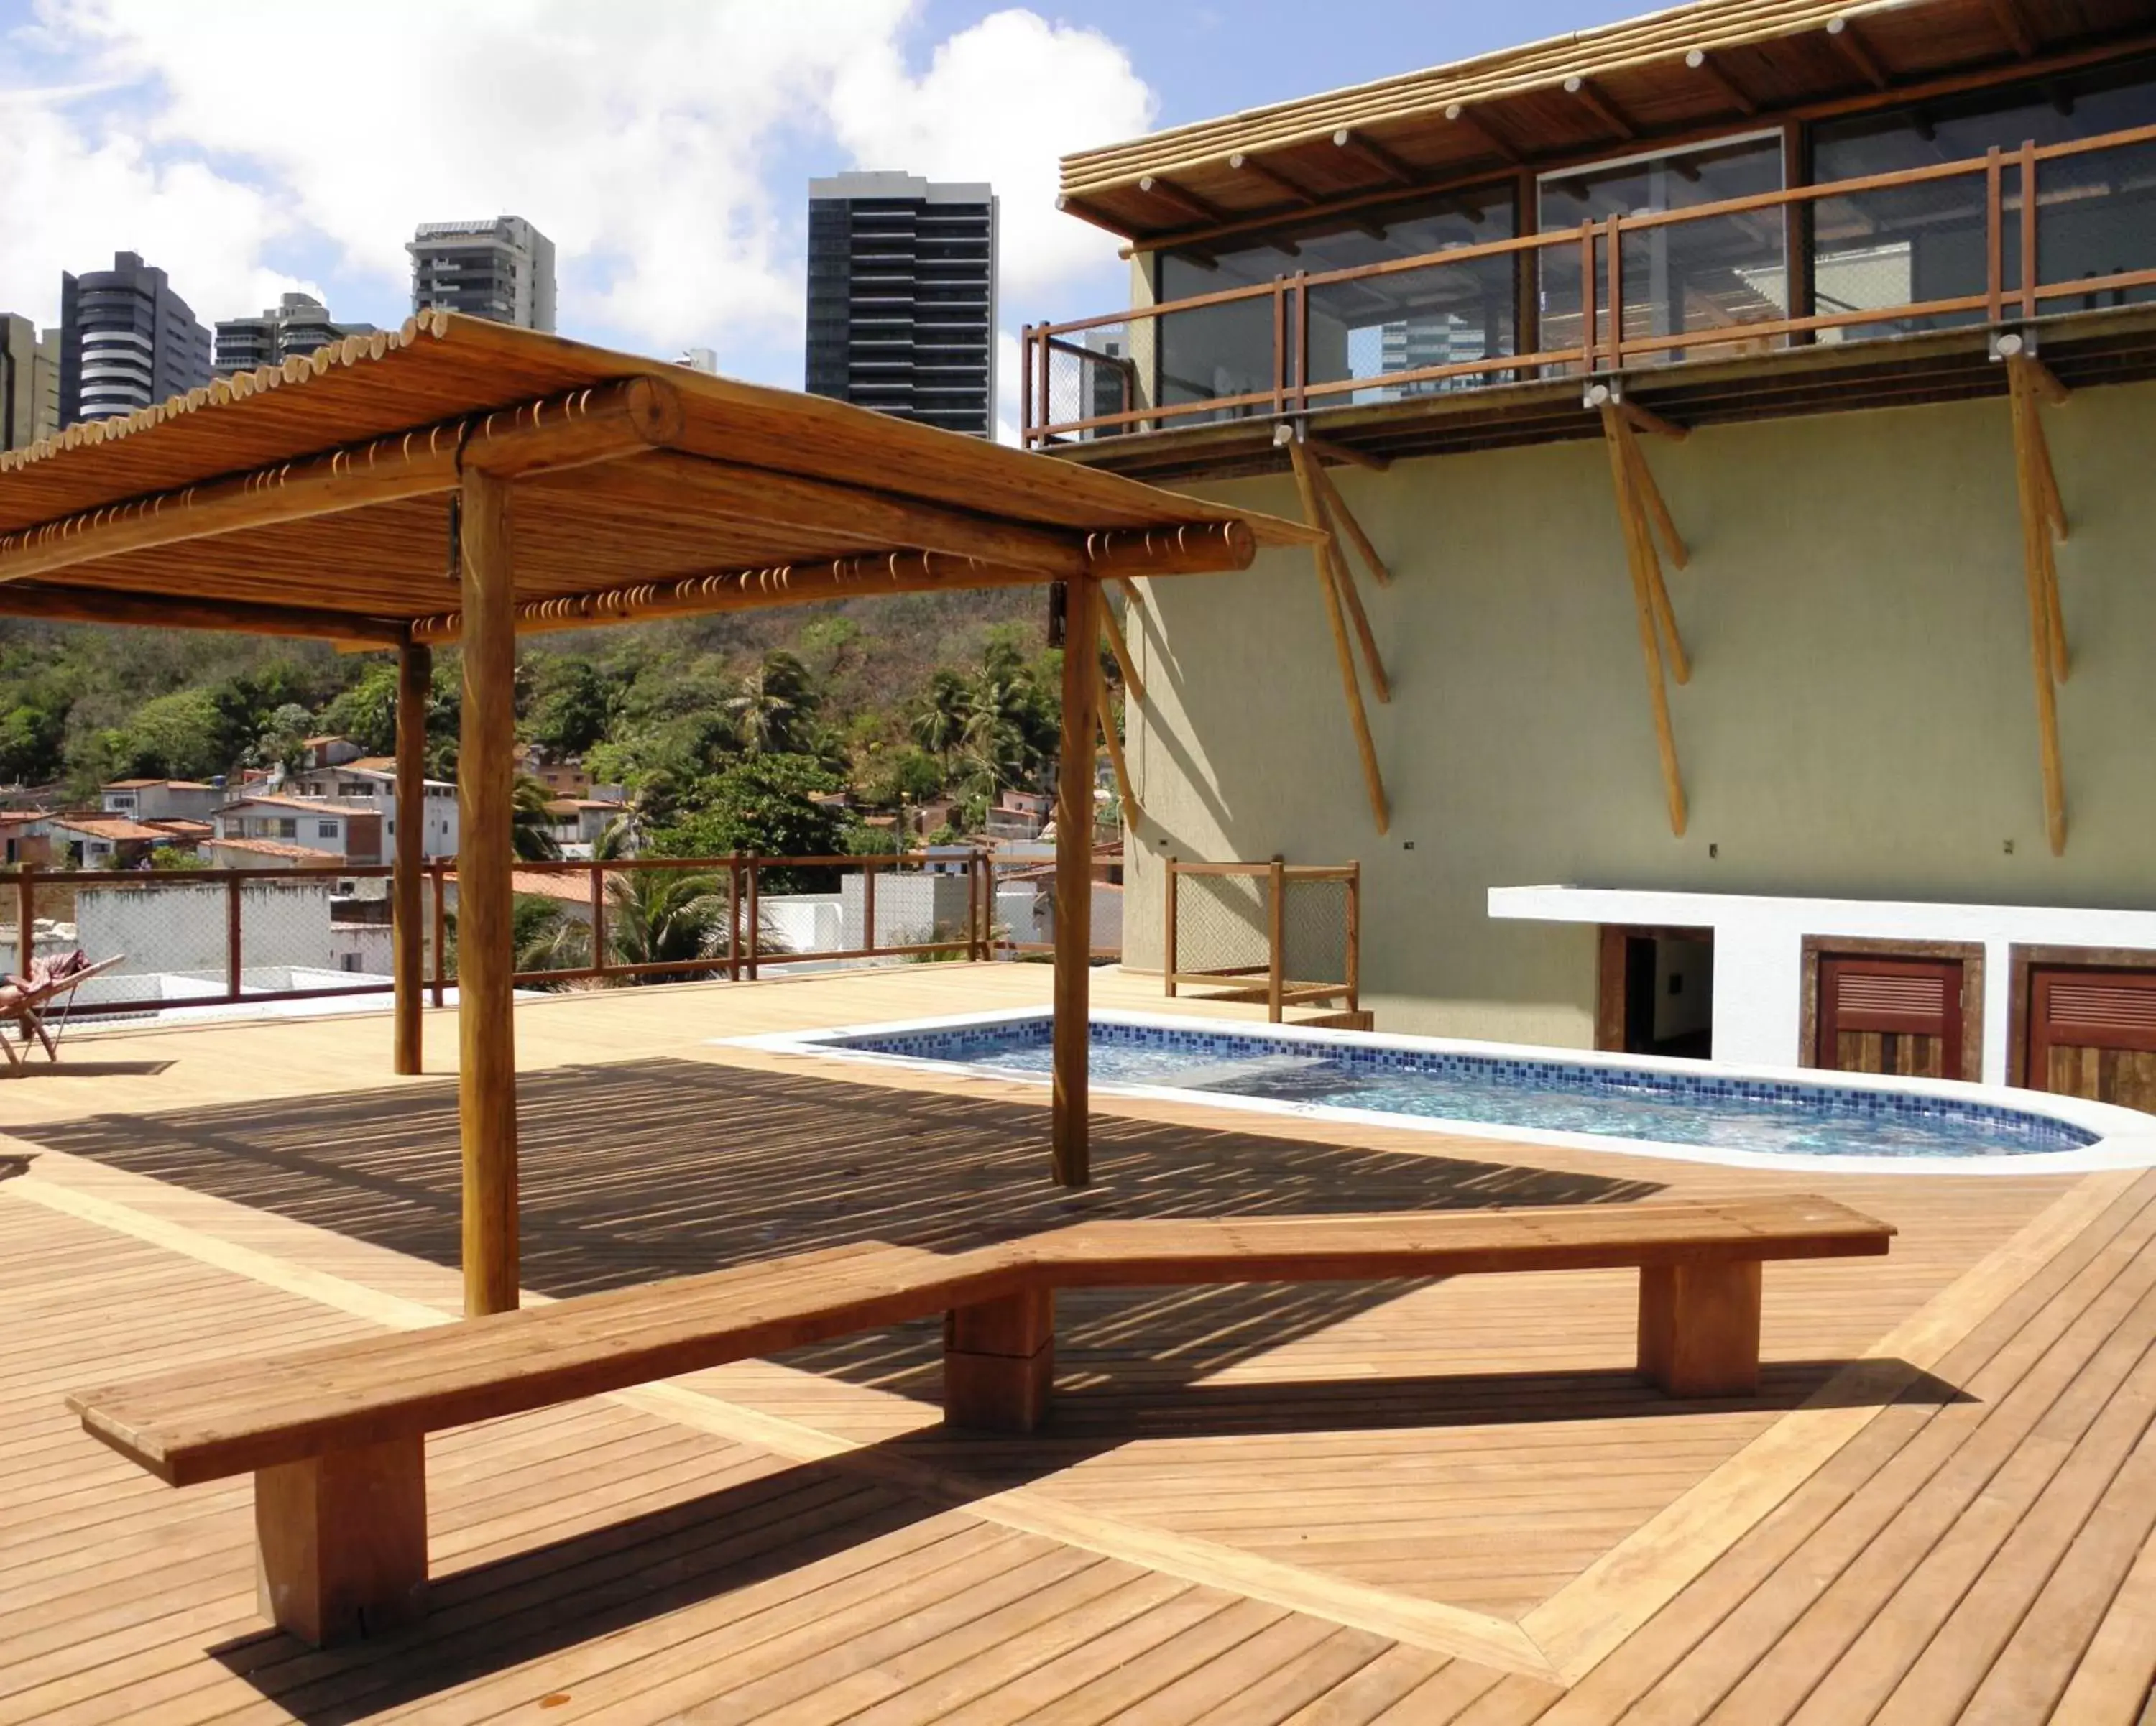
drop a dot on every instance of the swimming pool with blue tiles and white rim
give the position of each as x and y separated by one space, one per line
1696 1111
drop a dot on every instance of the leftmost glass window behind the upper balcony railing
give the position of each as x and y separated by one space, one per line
1364 329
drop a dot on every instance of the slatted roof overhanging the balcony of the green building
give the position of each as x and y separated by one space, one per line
1711 66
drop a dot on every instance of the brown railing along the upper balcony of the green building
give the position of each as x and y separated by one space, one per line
2019 206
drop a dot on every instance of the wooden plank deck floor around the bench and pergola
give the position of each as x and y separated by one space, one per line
1409 1503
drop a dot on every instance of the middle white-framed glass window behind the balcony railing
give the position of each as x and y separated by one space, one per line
1711 277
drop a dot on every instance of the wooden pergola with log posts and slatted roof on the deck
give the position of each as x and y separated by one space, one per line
465 482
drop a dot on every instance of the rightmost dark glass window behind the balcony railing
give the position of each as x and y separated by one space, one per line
1916 245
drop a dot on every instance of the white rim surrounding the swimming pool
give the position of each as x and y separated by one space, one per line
2127 1139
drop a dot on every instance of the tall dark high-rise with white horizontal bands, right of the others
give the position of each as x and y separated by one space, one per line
902 298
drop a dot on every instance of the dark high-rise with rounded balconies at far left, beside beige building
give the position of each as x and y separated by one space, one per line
126 342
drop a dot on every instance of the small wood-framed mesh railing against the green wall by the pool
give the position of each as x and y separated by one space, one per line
1267 932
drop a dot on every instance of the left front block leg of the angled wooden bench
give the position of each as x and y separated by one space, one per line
342 1542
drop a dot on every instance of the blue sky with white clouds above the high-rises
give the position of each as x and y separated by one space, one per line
253 148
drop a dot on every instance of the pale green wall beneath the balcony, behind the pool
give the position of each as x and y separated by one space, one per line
1860 721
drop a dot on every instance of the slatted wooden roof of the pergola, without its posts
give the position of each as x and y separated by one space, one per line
743 479
